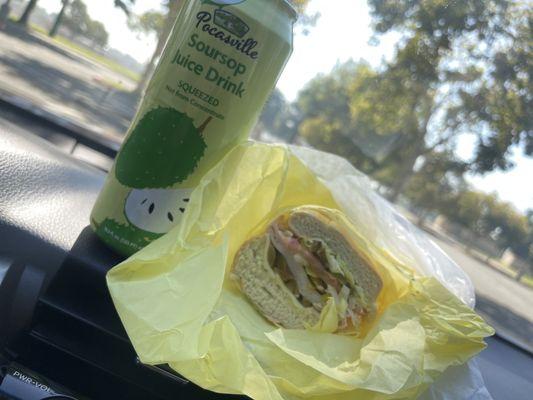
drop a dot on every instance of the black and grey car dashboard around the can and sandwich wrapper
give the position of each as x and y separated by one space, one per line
60 334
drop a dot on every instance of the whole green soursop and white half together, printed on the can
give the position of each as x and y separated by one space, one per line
163 149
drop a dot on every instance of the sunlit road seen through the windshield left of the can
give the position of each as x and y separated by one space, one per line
64 83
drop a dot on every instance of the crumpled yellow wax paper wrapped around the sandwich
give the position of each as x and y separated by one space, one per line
179 306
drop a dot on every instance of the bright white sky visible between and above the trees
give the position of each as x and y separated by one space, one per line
343 32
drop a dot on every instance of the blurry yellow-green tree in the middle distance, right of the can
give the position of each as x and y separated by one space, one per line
339 116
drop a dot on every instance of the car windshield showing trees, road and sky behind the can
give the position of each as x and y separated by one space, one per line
431 99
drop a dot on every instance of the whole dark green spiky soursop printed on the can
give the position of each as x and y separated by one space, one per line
164 148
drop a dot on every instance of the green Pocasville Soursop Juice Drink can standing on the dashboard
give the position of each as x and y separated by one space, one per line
218 68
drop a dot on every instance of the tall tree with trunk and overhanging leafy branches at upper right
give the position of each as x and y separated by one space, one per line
468 62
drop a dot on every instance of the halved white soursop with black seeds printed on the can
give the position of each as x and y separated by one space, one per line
156 210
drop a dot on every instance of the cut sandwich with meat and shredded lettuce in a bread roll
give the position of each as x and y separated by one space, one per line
304 259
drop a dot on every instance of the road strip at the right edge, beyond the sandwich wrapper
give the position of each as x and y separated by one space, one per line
506 304
